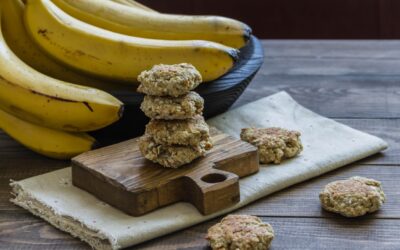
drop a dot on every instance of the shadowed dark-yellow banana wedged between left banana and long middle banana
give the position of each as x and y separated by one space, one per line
29 52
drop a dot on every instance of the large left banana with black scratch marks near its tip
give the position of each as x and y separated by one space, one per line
39 99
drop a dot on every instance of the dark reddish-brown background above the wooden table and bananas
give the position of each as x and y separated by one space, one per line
315 19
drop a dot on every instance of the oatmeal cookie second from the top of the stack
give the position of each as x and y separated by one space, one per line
173 108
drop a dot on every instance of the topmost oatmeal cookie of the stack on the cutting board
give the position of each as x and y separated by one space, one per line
169 80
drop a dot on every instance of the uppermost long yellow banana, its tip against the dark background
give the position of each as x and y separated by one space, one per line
137 22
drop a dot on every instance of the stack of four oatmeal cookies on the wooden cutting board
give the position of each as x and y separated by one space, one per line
177 133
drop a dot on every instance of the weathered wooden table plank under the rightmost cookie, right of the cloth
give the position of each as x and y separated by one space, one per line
302 199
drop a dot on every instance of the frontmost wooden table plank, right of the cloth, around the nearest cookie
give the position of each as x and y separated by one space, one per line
300 233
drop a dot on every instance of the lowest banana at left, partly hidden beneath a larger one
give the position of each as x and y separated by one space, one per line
48 142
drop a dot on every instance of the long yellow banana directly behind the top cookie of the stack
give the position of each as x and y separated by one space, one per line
117 56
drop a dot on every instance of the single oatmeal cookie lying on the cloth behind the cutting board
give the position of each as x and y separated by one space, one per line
274 144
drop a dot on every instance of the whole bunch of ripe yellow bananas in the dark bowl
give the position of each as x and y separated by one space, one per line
56 54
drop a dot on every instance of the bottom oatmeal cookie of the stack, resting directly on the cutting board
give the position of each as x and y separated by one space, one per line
169 156
